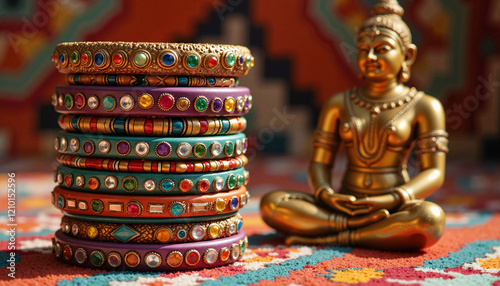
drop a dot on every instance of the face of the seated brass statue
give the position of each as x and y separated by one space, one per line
379 58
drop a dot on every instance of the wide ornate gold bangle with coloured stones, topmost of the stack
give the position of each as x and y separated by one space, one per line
152 58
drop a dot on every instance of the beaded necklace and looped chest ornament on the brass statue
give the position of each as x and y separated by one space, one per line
372 150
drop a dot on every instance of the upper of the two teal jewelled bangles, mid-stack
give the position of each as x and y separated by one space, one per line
170 148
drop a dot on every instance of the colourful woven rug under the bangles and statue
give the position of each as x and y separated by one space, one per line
468 253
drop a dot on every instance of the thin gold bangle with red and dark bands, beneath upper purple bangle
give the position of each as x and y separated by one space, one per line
145 126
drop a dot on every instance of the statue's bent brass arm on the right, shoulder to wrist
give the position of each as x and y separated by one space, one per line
431 148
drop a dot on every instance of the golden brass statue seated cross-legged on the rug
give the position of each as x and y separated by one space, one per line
378 205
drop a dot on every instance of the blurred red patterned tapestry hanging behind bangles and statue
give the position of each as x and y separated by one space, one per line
304 53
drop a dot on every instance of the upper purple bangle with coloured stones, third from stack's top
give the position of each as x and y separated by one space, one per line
152 101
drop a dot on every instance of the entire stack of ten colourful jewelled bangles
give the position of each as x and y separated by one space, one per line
151 174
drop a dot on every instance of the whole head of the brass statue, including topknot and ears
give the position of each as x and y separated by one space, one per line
384 44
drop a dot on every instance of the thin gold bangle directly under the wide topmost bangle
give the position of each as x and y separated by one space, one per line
150 80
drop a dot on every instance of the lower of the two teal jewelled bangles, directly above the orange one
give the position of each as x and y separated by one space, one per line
149 184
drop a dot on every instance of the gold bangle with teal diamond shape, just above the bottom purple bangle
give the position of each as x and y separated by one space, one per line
151 233
